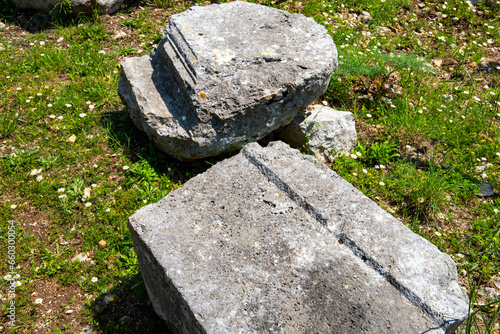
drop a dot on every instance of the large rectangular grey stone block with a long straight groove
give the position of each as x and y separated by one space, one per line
273 240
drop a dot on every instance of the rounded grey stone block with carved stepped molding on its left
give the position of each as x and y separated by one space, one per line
226 75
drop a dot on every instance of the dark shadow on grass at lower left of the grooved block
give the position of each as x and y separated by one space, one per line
126 309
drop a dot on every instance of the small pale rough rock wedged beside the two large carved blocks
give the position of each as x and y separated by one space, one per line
325 131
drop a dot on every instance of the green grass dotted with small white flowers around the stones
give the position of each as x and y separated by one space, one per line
423 82
